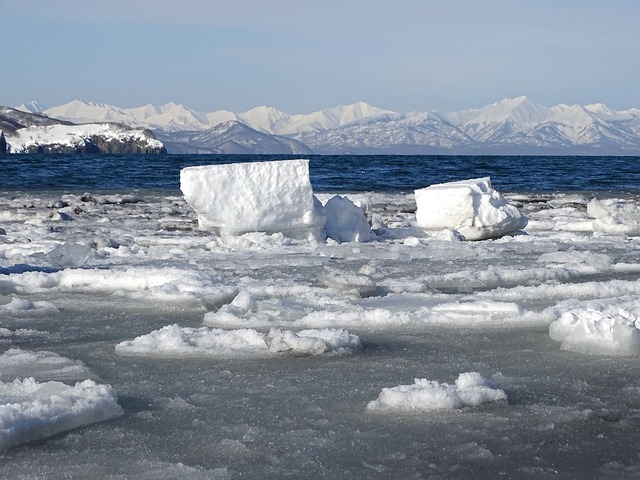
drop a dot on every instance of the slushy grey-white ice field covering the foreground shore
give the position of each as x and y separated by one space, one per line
134 345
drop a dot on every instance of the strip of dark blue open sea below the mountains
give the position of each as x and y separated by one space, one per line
330 173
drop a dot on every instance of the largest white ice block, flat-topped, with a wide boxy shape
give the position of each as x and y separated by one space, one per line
254 197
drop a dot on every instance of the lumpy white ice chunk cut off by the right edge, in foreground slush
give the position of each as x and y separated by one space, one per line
596 332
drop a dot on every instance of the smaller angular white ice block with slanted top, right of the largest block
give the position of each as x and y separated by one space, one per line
471 207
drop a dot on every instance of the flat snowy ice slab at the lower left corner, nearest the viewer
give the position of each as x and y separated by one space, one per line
31 411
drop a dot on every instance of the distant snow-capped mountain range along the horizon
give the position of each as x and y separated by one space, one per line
510 126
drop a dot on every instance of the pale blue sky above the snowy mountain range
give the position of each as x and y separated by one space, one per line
302 56
